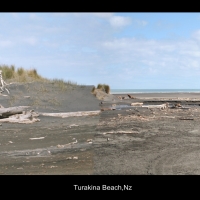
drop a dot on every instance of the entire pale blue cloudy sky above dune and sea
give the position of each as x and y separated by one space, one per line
130 50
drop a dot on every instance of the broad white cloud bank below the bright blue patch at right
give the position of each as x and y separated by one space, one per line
161 57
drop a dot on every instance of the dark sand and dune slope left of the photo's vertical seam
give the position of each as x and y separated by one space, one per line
52 154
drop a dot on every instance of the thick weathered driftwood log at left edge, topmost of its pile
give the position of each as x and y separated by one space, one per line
6 112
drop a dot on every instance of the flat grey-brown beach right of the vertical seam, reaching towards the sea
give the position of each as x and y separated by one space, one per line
150 141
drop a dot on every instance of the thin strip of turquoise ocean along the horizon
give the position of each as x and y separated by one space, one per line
126 91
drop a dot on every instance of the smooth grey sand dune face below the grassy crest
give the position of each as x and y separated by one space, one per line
49 97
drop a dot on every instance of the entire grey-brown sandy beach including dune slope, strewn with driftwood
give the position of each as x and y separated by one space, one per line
118 139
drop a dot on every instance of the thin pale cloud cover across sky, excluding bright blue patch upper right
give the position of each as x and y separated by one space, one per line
80 44
